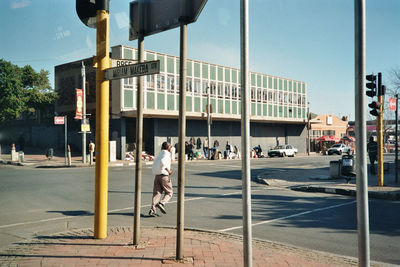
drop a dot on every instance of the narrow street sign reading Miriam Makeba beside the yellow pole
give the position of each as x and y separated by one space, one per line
145 68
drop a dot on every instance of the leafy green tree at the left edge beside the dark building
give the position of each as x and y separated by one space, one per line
23 91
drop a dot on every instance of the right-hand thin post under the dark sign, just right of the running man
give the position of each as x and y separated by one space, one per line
182 135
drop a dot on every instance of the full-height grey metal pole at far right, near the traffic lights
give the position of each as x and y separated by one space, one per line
361 136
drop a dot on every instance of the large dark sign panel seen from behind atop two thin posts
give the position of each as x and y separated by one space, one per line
161 15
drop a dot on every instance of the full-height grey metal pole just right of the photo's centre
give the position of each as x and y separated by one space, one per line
245 123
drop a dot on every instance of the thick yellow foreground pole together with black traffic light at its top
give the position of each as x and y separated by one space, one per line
95 14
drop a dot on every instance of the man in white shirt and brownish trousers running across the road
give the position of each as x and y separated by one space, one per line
162 182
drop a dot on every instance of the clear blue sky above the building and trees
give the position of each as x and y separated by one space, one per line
307 40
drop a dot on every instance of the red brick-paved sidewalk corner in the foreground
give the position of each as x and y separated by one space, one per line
158 248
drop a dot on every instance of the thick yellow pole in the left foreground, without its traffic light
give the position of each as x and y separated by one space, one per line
102 125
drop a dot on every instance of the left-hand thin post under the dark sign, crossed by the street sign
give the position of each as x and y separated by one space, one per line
139 146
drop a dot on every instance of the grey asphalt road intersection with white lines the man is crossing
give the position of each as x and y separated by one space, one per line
42 202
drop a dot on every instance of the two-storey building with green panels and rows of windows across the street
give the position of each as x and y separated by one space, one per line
278 105
